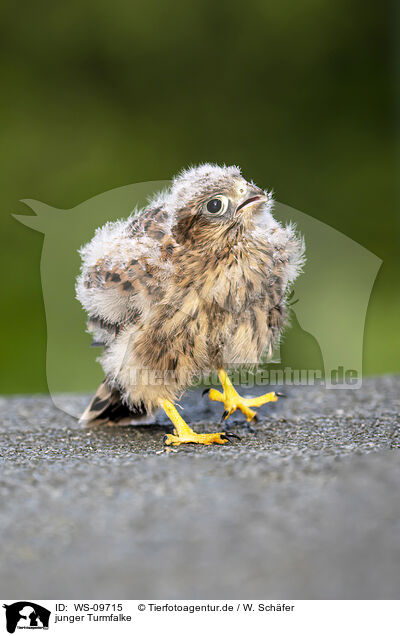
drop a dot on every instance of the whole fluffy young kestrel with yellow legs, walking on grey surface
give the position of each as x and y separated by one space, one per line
194 282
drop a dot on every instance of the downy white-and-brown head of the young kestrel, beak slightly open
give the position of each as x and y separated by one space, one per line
214 203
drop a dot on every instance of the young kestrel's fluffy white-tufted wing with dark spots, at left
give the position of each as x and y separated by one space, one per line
125 268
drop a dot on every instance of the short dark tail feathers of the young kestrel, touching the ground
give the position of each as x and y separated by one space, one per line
107 406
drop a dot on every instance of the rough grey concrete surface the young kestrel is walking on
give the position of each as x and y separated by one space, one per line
306 507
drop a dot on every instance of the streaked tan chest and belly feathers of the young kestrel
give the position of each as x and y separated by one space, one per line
216 308
